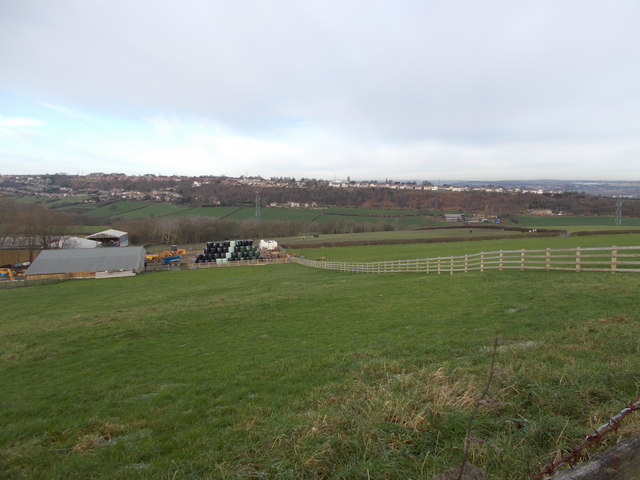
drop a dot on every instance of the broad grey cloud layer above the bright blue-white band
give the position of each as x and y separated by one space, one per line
456 71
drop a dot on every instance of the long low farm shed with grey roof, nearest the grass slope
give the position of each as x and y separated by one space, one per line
87 263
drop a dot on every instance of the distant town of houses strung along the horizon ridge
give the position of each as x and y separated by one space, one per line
100 187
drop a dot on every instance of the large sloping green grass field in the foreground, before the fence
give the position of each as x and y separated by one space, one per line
288 372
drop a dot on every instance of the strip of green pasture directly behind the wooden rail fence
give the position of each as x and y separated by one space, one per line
433 250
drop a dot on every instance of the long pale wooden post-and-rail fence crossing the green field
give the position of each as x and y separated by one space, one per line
599 259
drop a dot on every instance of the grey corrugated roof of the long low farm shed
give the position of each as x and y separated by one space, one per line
87 260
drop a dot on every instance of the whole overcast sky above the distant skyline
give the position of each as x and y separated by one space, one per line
425 89
